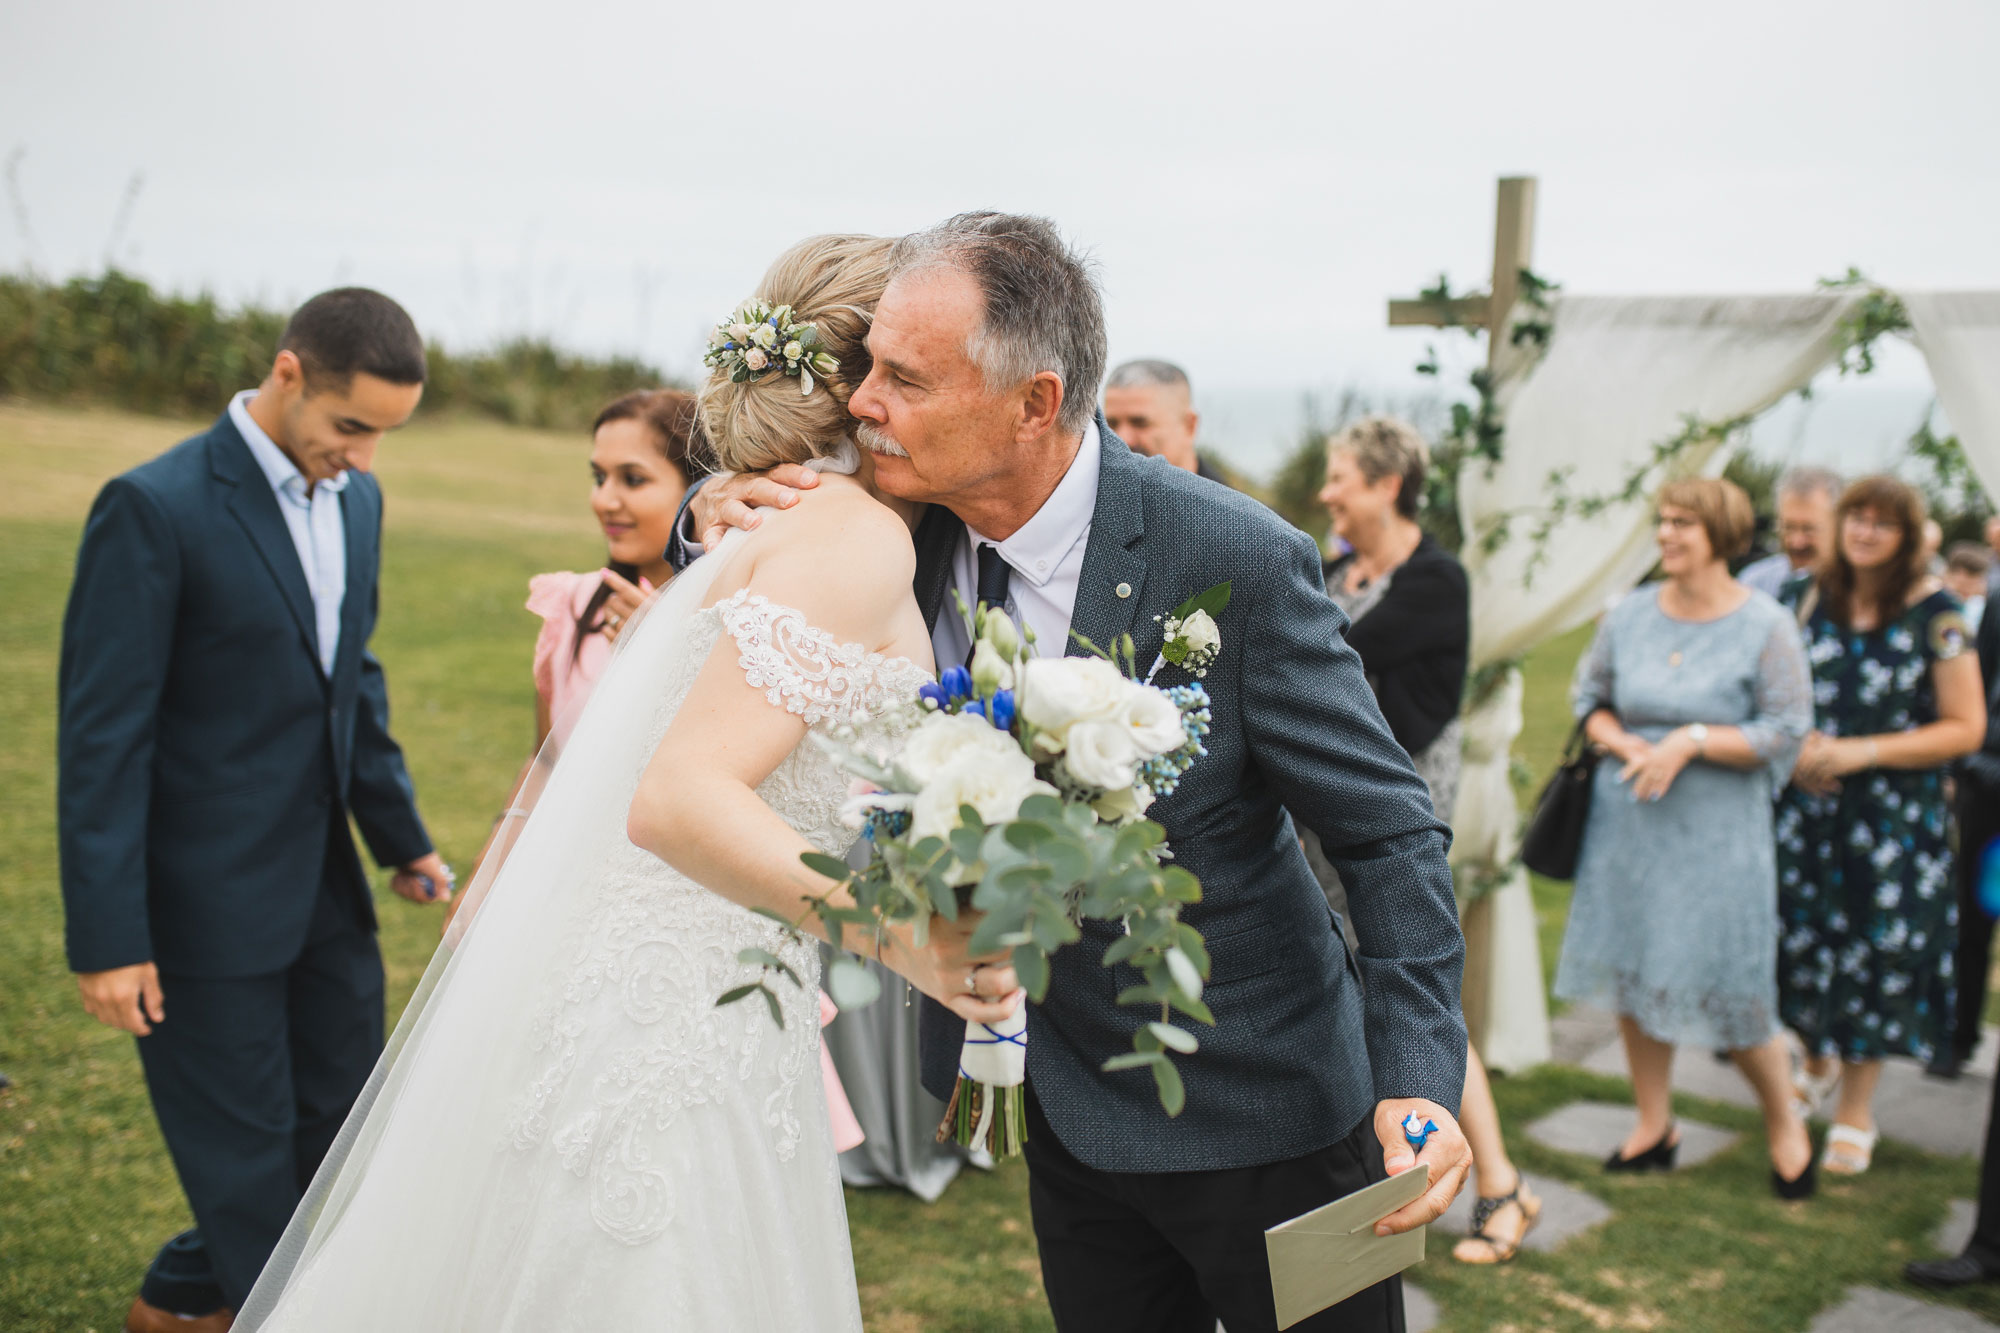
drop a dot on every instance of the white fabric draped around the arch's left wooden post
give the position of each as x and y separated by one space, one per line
1621 375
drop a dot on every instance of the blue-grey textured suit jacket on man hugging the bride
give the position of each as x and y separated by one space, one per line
1307 1038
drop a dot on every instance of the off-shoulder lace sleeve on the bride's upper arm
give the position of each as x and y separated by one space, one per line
807 672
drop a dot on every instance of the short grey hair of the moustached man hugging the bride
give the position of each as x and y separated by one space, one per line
1043 303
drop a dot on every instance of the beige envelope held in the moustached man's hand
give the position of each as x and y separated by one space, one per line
1331 1254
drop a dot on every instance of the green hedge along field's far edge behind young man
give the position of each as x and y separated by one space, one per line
111 339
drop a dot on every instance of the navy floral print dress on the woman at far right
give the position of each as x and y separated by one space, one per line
1867 908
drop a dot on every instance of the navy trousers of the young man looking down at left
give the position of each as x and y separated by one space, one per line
251 1080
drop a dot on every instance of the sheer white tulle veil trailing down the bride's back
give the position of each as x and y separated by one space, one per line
505 932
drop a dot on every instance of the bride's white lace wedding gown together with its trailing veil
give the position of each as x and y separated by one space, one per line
567 1132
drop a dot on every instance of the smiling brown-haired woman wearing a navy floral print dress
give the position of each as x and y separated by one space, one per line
1865 864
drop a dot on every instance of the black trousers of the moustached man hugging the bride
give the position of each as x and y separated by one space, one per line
1171 1252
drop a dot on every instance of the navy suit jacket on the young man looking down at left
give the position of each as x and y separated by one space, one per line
205 756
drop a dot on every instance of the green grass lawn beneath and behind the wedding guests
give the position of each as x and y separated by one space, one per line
85 1186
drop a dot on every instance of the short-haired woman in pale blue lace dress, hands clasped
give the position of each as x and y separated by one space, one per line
1697 692
